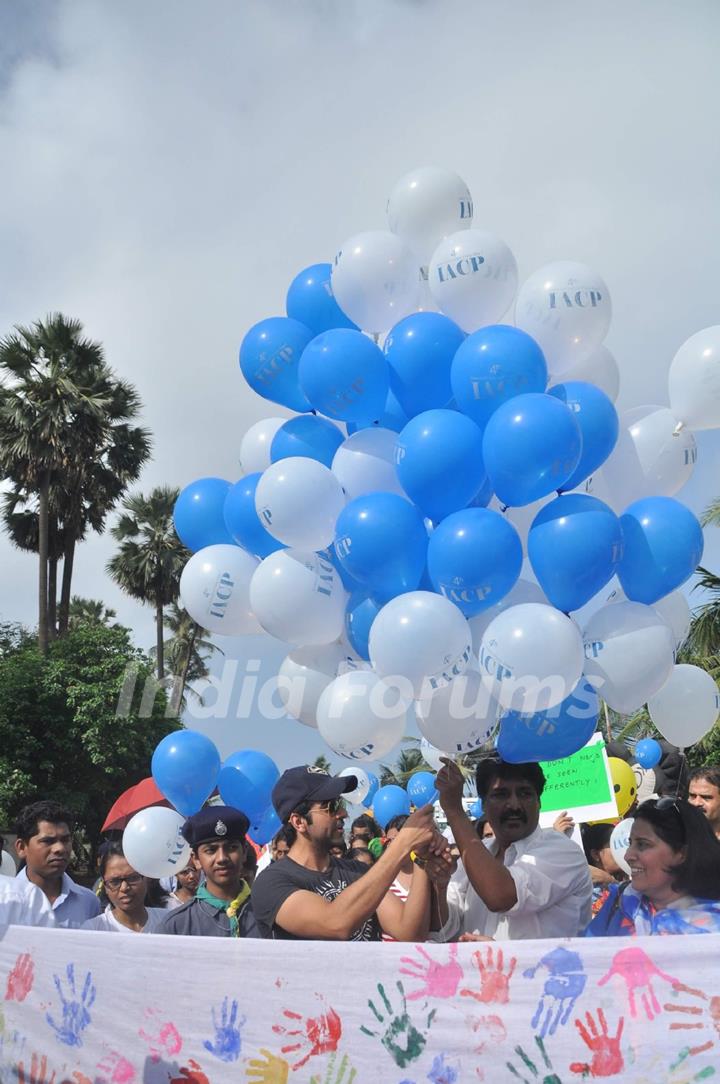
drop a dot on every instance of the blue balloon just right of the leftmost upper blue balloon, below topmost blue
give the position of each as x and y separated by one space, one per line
345 376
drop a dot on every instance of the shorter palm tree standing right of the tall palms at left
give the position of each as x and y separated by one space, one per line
151 558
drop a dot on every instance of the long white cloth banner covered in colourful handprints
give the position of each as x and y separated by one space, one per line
104 1009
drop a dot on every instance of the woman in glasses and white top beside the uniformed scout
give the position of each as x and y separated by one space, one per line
126 892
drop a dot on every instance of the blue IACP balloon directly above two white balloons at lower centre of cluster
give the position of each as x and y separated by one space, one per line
474 559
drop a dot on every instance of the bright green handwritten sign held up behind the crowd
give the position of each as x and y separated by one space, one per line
580 781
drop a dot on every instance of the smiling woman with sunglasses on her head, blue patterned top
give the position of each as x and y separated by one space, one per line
675 868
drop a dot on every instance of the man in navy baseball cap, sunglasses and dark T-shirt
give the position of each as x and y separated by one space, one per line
315 897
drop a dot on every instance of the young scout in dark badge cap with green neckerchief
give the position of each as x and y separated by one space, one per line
222 907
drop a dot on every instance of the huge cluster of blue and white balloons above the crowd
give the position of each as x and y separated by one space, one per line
381 533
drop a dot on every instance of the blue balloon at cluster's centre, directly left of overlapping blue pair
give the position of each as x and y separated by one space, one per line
440 462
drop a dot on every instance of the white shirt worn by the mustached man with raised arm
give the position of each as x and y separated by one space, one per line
554 886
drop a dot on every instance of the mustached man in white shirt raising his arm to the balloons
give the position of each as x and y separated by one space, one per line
525 882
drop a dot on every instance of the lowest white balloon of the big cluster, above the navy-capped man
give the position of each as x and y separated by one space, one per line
362 717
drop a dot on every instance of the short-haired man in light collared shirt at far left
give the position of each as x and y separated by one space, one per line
46 845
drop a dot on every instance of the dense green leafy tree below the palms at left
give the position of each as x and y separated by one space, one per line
60 737
